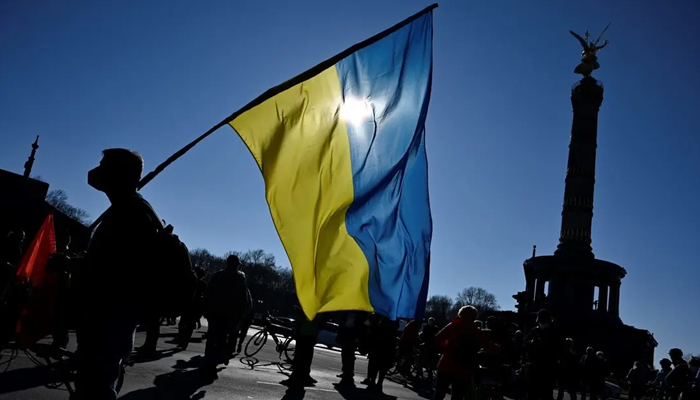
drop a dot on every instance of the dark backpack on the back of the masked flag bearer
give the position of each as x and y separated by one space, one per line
171 282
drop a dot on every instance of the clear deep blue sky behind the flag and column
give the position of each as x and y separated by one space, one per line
153 75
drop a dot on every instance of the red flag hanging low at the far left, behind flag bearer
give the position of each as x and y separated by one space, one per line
36 320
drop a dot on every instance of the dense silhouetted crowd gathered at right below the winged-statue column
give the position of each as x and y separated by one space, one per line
497 359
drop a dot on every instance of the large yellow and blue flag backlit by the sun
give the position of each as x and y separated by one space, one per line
342 150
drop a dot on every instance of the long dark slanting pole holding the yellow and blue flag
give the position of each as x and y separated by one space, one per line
306 75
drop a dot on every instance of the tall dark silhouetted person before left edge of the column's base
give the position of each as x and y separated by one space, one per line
544 346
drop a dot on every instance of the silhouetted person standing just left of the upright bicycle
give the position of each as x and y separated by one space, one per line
224 305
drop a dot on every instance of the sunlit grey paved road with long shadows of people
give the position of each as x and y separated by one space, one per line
174 375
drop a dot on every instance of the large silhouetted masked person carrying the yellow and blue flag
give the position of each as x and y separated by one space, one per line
111 295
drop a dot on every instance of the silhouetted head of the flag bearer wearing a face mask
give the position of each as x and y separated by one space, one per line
119 172
